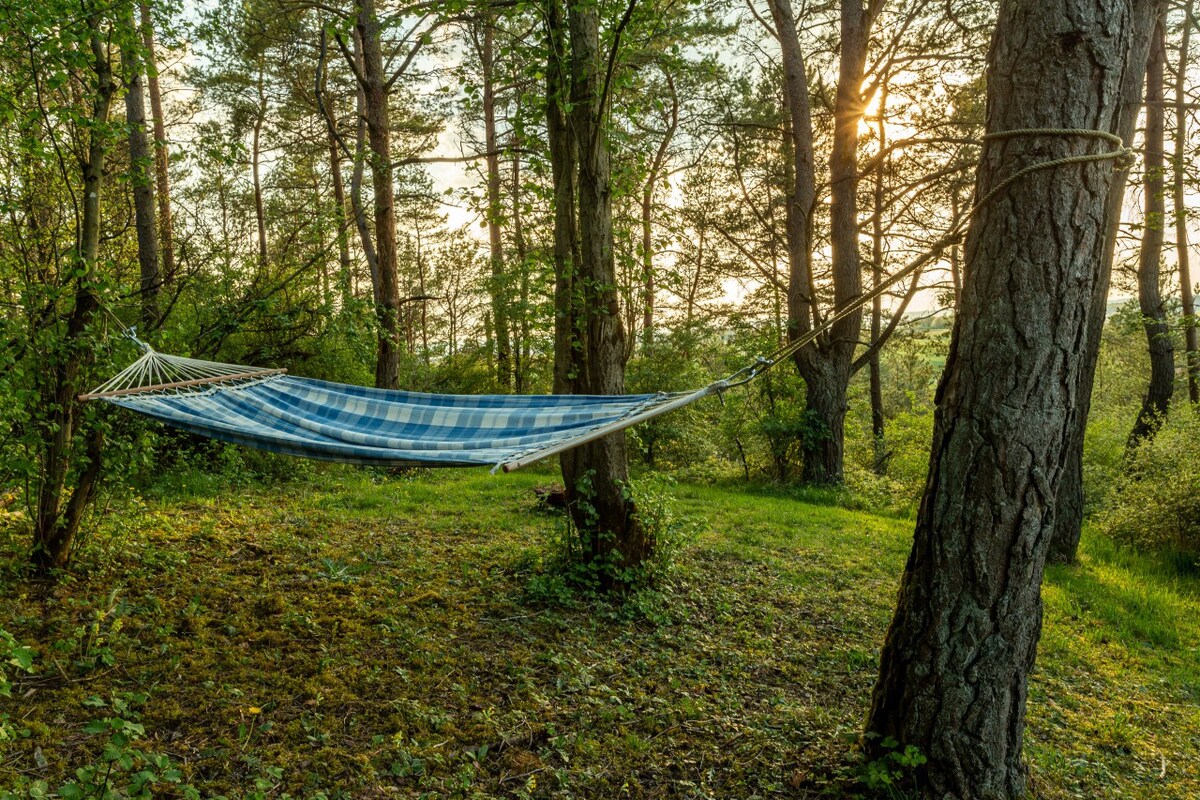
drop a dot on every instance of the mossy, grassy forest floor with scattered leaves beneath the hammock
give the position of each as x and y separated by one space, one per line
355 635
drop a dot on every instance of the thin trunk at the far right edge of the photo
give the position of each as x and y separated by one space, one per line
1191 330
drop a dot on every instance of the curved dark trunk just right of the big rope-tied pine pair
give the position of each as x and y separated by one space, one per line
1150 262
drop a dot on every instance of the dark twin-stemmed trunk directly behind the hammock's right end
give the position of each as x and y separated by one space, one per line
590 340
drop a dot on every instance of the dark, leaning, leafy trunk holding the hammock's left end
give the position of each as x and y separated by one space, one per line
55 525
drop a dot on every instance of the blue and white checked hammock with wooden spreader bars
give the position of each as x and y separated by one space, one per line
315 419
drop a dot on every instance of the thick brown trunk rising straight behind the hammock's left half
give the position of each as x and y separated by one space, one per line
375 92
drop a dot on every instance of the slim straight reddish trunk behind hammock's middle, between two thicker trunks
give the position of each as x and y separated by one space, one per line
500 293
